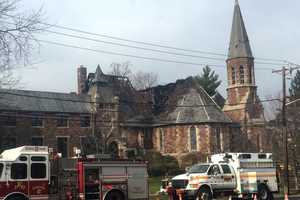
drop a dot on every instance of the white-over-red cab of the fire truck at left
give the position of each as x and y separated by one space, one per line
24 173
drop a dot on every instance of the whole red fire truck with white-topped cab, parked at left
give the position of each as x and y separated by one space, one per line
29 172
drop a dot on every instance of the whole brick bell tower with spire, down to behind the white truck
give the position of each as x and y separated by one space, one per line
242 104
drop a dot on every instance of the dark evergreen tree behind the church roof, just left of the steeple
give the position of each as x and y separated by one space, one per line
209 80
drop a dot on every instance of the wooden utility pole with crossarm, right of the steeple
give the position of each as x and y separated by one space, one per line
283 71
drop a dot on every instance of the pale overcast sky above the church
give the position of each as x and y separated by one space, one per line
272 26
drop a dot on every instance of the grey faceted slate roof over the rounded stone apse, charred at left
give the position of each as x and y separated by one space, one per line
187 102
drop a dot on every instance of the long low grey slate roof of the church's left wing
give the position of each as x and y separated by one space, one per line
37 101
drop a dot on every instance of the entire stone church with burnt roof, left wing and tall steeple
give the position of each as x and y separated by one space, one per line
108 115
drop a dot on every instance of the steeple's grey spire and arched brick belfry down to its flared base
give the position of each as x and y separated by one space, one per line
241 90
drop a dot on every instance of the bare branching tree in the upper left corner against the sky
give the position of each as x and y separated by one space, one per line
17 38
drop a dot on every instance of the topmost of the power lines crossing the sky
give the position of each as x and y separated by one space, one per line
135 41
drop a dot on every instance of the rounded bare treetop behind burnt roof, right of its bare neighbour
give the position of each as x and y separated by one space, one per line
143 80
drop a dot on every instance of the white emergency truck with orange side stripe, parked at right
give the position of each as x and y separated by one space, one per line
236 175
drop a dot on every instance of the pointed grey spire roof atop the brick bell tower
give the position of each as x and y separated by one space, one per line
239 43
